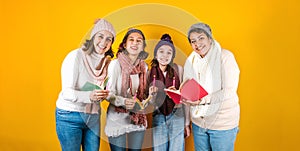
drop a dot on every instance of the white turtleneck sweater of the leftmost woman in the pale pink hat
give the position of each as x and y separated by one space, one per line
73 77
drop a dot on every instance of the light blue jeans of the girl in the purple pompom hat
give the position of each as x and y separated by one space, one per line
168 131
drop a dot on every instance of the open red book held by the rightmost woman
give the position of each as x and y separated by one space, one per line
189 90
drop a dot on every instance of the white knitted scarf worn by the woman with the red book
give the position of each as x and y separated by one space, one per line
208 70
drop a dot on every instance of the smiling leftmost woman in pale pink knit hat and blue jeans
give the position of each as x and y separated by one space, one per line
77 108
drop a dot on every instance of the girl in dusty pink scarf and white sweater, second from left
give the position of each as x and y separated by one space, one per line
127 82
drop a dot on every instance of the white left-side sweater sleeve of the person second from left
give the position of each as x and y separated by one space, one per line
114 73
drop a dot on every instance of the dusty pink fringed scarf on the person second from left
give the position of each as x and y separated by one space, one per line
131 68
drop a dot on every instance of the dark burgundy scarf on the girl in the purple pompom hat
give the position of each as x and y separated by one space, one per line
165 104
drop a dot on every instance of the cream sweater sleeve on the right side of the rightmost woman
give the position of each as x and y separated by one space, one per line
230 79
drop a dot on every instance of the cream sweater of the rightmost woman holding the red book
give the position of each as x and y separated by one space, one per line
228 113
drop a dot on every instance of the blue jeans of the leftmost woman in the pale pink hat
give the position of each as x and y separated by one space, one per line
75 129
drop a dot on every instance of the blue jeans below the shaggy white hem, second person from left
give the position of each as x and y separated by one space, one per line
135 141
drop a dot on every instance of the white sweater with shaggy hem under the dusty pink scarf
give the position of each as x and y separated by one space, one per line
118 123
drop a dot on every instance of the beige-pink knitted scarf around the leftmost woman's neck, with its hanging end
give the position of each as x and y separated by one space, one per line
99 74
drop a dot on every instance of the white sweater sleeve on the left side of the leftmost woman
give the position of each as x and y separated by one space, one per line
69 76
